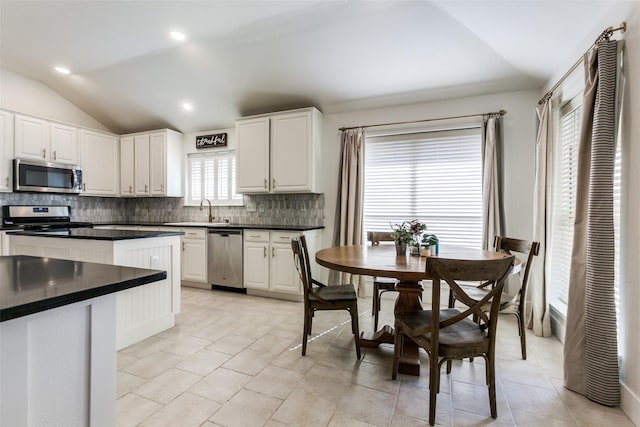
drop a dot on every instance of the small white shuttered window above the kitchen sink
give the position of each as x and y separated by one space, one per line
216 179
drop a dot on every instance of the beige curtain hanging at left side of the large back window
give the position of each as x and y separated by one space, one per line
348 222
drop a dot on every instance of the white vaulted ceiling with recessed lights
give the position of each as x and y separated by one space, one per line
247 57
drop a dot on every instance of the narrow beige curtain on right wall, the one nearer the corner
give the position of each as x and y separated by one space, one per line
538 310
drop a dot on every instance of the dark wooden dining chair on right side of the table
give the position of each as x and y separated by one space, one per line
513 303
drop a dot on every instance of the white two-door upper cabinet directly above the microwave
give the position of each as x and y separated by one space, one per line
40 139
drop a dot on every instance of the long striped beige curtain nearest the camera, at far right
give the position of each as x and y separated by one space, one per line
590 352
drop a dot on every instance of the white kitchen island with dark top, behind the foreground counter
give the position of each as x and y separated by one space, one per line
140 312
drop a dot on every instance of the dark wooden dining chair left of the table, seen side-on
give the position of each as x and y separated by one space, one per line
318 296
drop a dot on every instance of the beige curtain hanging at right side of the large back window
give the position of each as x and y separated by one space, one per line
492 205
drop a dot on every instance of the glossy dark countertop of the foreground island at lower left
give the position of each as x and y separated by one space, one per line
32 284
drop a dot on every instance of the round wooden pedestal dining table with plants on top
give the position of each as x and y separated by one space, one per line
382 261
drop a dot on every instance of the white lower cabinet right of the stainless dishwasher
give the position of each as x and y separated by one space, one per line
269 269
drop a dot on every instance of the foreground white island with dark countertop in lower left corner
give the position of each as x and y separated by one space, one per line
57 339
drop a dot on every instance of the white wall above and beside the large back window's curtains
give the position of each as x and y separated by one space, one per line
519 124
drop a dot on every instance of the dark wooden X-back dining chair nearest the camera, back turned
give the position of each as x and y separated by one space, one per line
448 334
